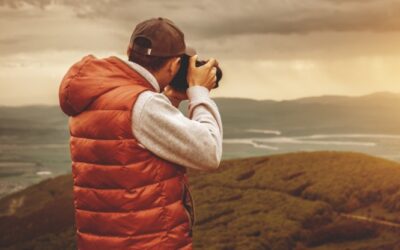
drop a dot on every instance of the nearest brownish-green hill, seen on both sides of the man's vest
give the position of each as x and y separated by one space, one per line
304 200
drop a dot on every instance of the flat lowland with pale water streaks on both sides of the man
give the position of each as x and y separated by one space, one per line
22 165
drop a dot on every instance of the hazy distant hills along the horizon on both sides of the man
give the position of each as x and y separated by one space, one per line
372 113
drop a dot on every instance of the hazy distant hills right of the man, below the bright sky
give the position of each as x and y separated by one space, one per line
373 113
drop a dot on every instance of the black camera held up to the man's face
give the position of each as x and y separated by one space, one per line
179 82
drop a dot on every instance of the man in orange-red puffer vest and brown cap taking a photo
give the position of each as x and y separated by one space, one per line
130 145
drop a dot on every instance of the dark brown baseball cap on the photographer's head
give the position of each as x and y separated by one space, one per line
165 38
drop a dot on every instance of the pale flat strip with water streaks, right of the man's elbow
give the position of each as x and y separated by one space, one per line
273 142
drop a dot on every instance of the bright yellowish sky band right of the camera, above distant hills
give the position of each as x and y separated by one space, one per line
288 79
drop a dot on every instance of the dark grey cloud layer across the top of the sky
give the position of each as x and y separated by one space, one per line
101 24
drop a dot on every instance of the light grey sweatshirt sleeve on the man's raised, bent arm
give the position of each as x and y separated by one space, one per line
194 142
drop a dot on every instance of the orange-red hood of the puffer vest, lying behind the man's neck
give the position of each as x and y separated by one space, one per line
91 77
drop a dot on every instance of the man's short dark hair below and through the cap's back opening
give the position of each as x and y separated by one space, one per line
152 63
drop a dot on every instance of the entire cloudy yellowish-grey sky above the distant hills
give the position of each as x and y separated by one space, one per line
268 49
